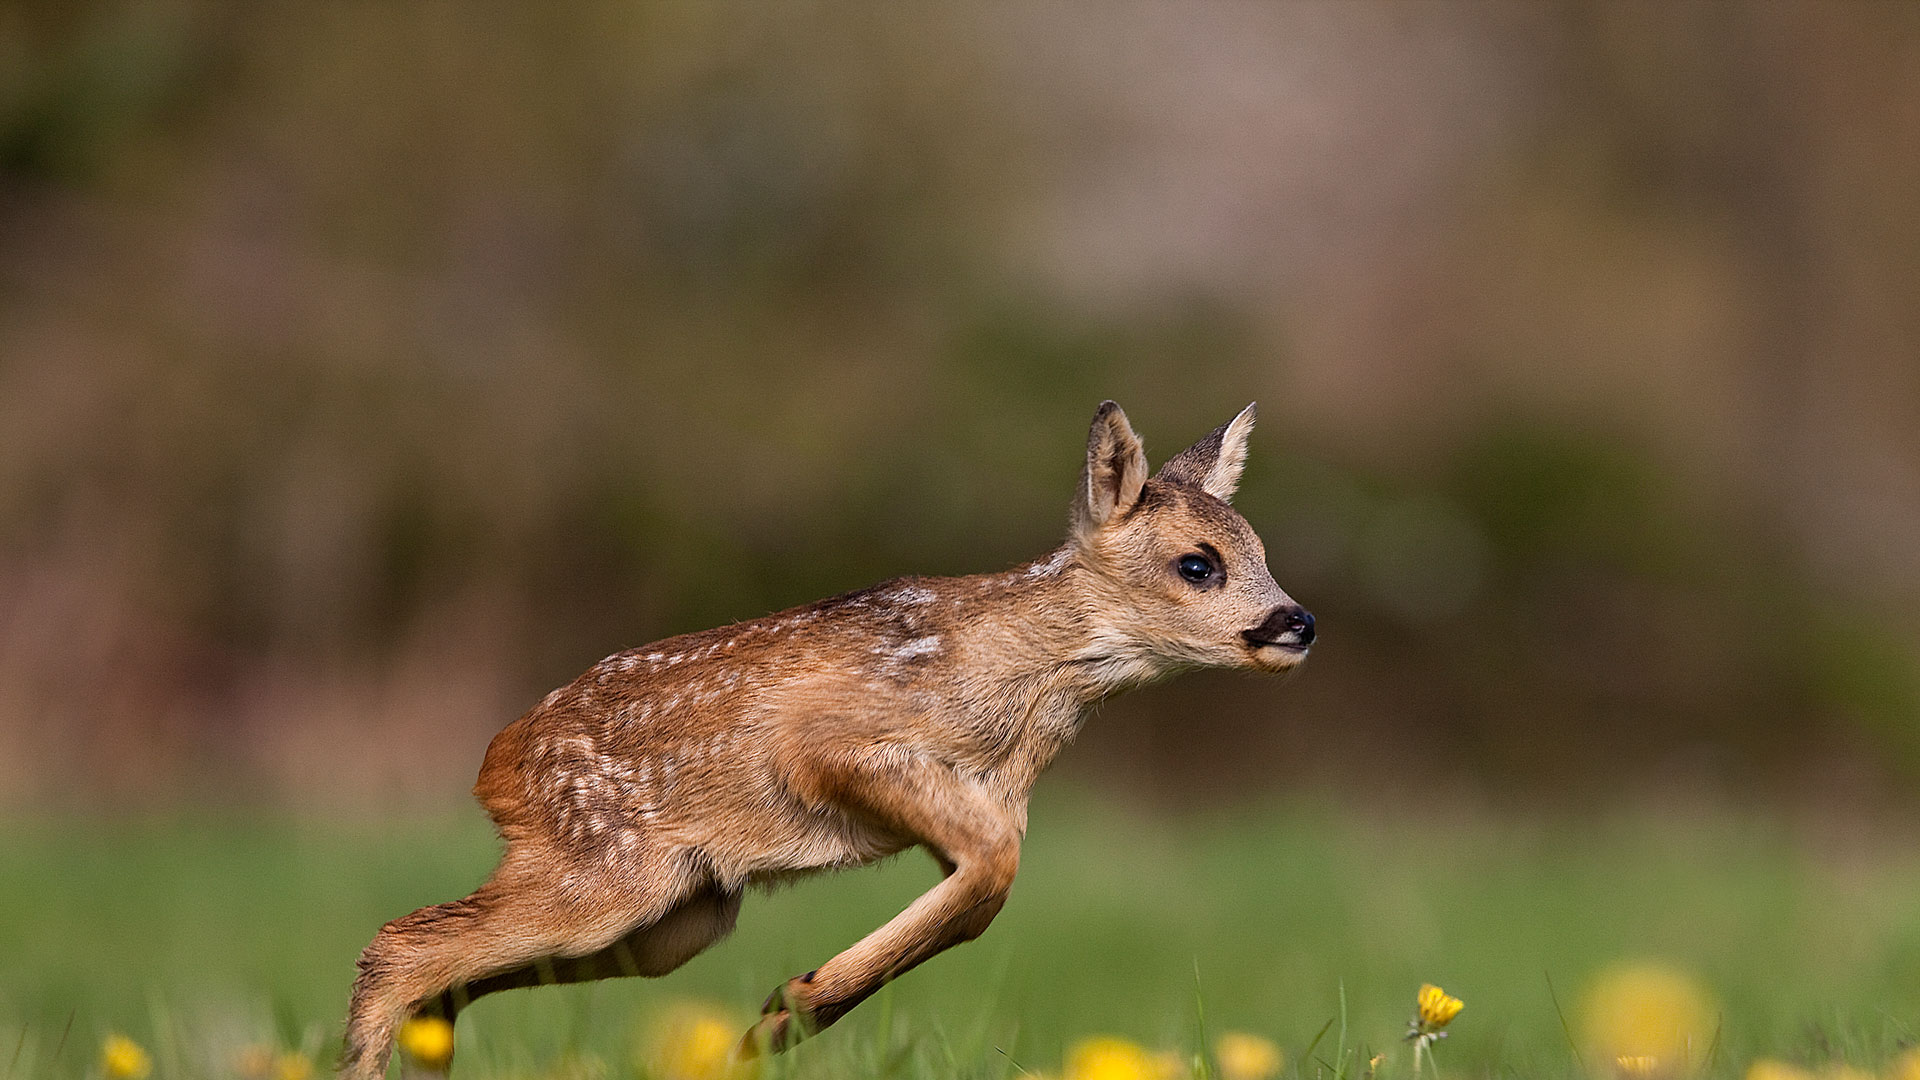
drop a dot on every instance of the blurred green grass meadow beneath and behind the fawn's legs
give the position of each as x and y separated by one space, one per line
199 937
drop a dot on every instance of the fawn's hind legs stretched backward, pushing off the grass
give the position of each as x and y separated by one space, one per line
542 912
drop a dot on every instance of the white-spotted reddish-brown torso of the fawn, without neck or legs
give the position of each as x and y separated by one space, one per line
684 743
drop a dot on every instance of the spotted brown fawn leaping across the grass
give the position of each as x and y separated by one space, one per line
640 800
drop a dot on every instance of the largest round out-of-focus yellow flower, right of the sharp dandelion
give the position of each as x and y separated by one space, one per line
1648 1012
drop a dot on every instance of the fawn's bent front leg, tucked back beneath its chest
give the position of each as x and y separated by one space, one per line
963 827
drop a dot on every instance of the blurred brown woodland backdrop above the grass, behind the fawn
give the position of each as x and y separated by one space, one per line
368 370
